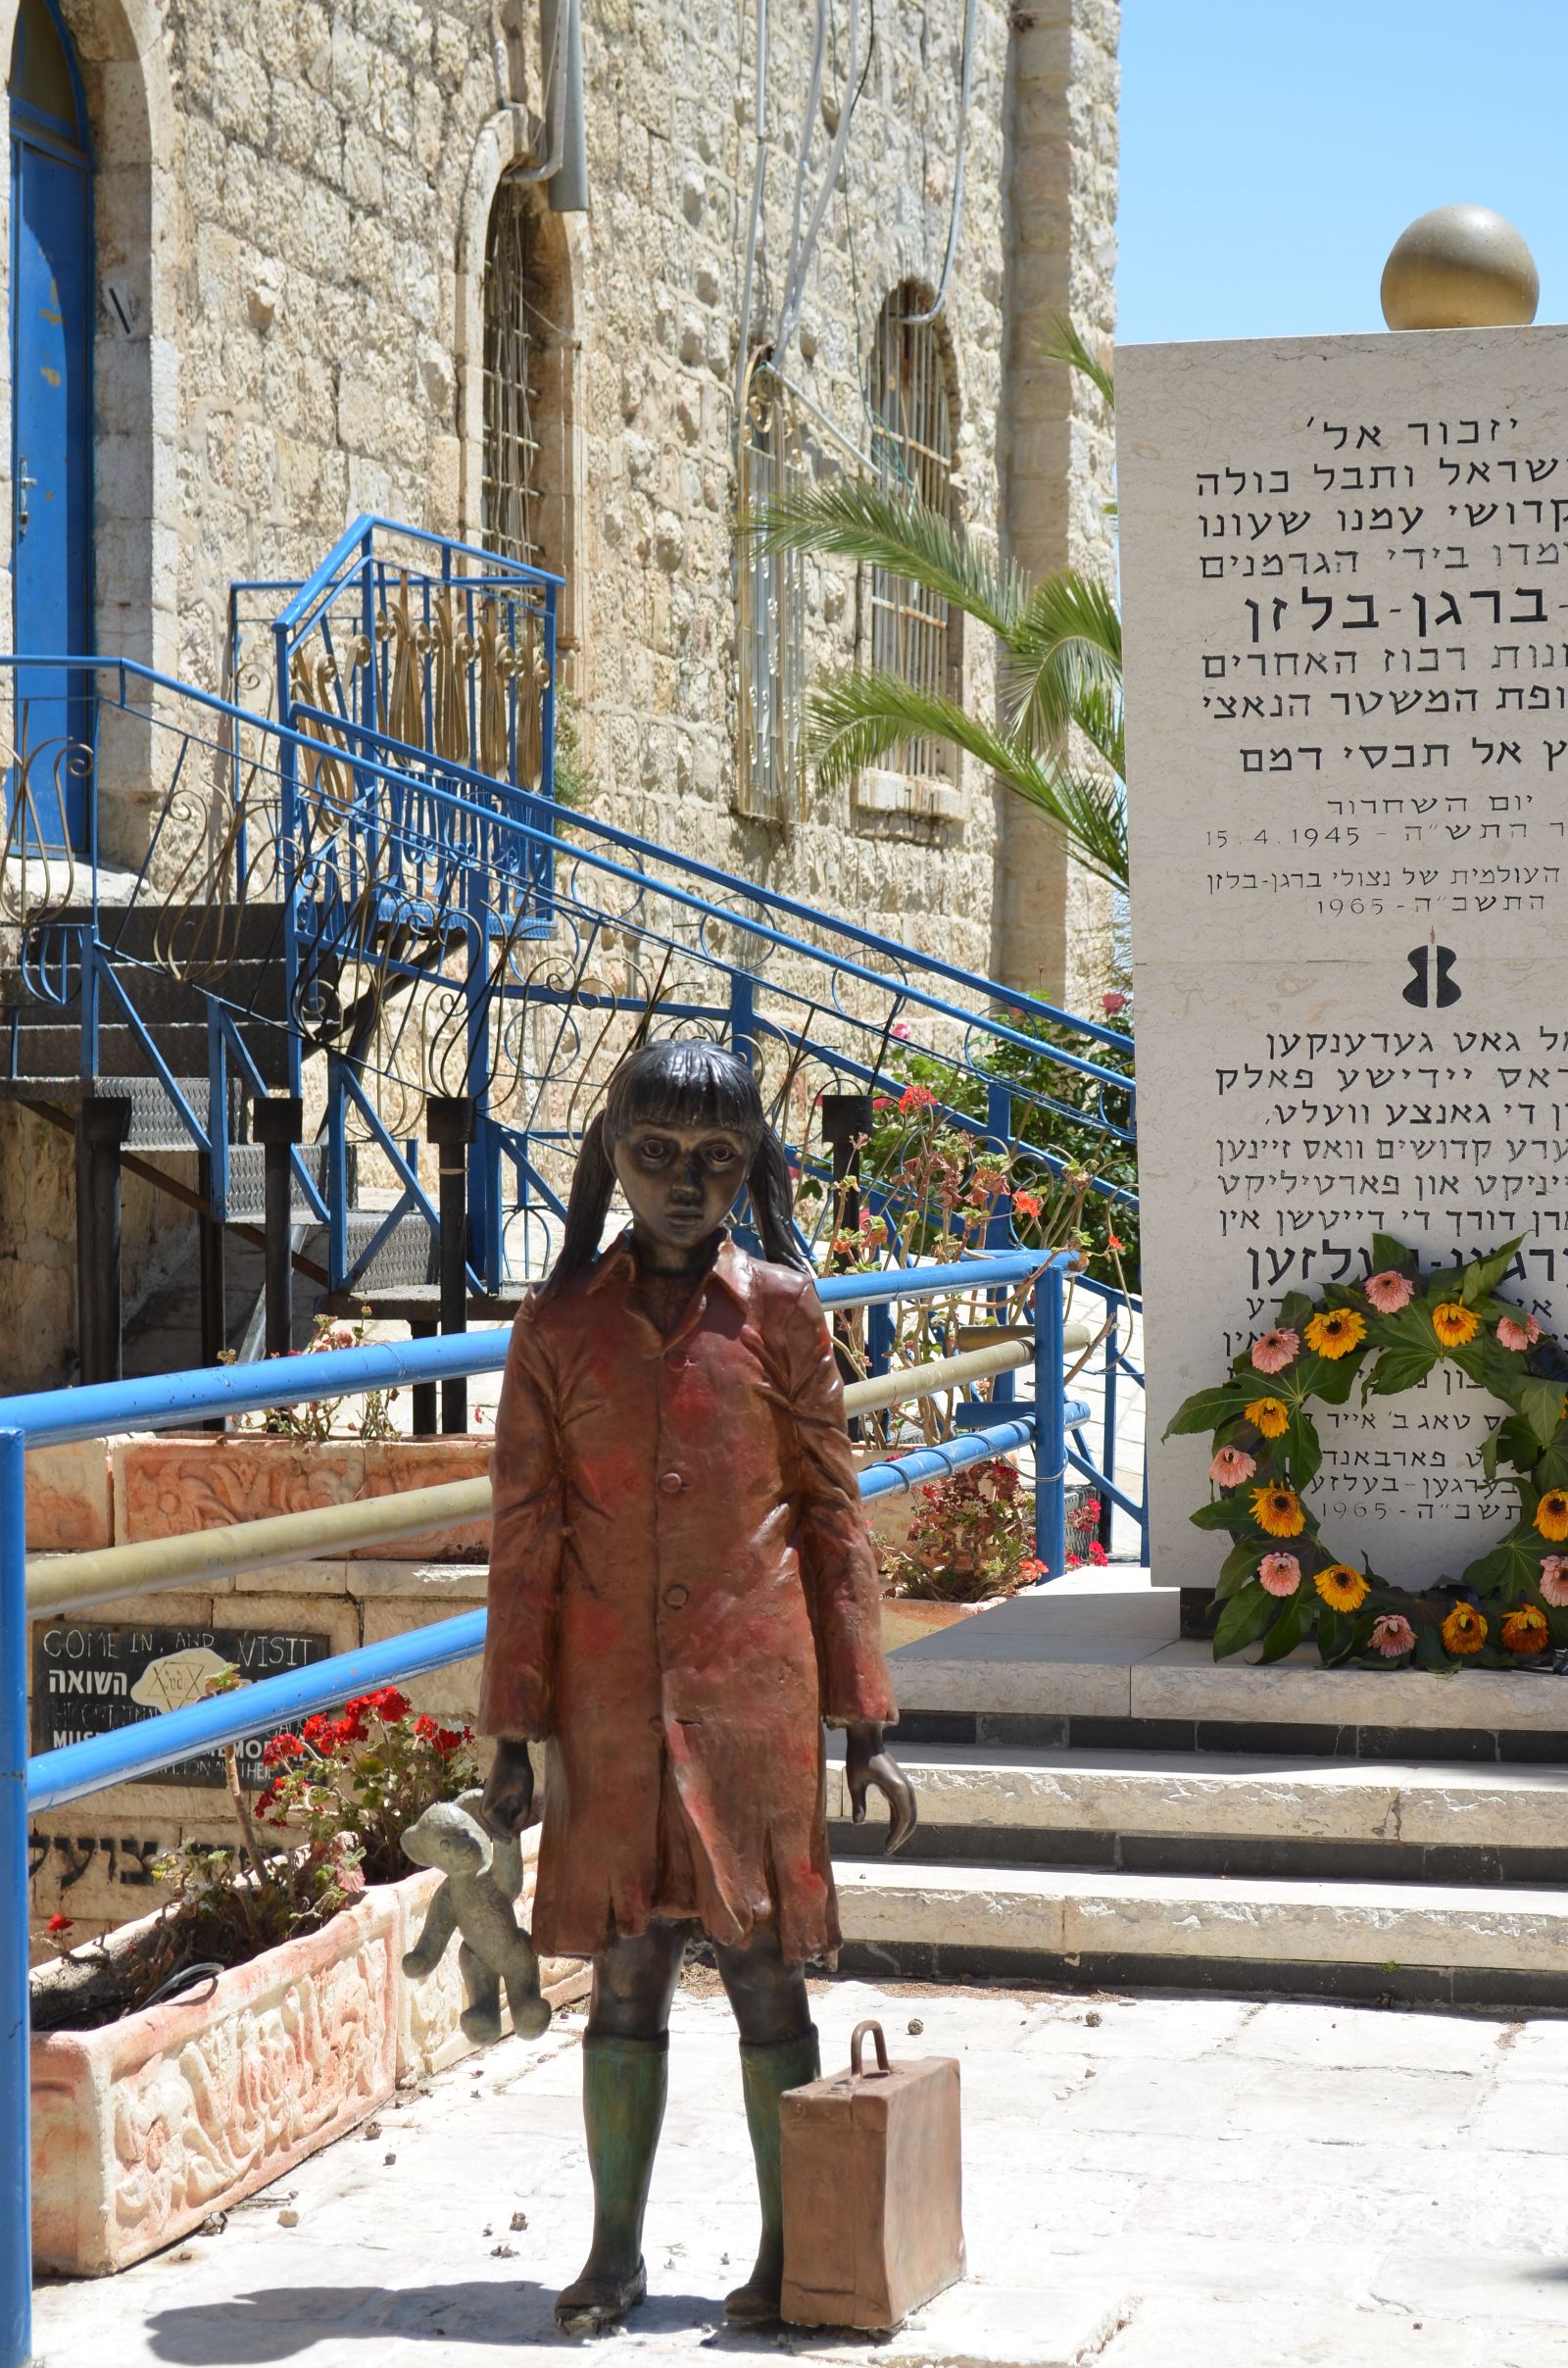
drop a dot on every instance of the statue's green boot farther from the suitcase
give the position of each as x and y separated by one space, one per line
624 2090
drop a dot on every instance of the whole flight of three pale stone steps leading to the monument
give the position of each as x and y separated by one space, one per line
1105 1808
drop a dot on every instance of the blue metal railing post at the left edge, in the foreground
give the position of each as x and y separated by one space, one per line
15 2132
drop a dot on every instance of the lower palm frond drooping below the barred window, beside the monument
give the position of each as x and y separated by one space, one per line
863 714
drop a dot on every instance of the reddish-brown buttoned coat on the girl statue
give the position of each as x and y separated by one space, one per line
681 1590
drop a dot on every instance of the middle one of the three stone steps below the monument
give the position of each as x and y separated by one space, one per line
1226 1815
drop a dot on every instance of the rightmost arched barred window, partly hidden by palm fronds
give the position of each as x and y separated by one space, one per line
911 631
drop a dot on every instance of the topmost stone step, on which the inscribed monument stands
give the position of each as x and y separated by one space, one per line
1095 1661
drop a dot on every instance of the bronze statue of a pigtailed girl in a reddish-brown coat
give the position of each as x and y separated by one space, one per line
681 1595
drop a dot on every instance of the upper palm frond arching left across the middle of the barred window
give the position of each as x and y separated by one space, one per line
875 527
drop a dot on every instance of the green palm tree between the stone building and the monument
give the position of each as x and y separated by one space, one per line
1060 657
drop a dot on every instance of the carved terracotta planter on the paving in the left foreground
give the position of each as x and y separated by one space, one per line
148 2125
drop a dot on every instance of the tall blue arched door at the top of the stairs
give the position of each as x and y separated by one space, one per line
51 404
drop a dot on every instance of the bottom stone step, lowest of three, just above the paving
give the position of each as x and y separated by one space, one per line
1396 1943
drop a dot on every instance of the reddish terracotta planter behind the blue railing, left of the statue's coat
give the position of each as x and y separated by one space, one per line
169 1486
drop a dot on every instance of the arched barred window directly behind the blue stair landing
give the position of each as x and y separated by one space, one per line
518 335
